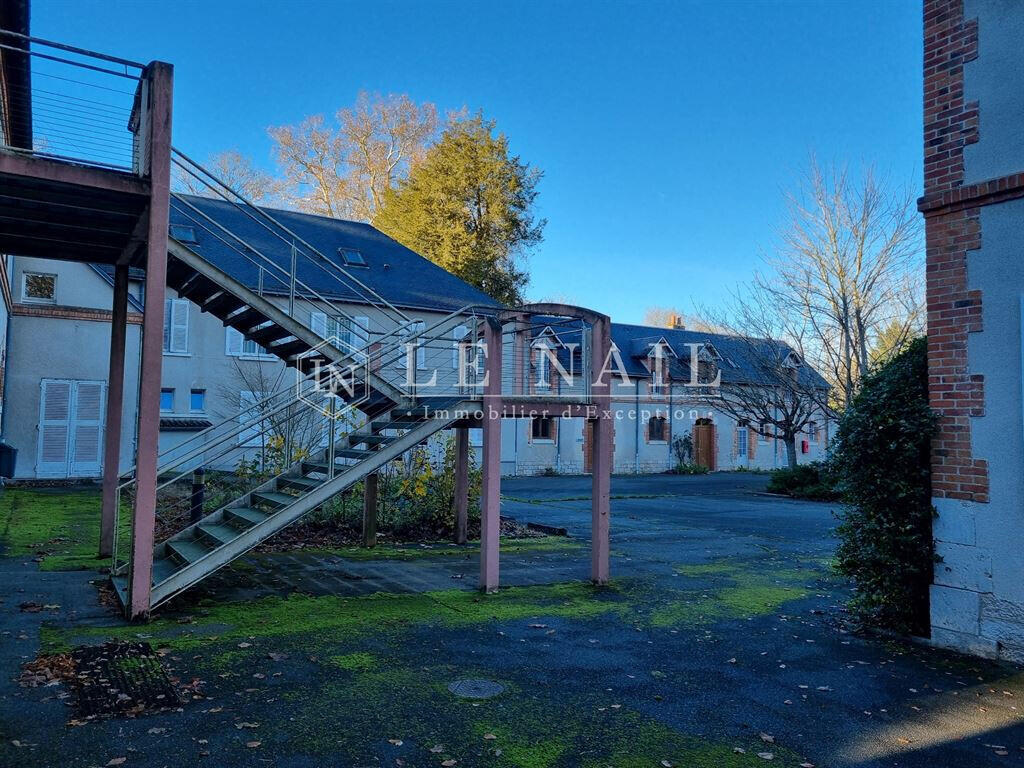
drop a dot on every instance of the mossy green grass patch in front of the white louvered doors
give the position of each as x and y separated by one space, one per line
60 526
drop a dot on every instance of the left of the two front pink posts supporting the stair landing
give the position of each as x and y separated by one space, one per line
492 470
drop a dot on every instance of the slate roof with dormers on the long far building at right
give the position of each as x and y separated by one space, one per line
740 362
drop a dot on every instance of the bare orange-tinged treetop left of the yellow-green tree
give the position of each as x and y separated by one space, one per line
343 169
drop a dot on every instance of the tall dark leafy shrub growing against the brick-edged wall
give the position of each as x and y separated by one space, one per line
881 457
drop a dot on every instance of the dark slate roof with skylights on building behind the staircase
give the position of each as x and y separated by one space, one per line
398 274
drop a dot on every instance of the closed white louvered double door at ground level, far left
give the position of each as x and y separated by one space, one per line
71 429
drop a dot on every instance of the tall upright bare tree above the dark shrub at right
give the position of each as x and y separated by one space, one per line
849 268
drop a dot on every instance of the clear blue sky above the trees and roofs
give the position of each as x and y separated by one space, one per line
668 133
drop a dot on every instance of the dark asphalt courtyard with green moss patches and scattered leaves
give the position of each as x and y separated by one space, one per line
722 642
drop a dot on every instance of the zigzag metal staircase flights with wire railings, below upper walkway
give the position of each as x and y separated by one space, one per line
379 417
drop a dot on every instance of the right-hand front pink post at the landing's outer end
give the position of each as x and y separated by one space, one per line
603 446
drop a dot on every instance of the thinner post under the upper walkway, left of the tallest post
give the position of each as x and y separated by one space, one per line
115 409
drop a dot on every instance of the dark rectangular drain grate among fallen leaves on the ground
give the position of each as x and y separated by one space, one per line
120 679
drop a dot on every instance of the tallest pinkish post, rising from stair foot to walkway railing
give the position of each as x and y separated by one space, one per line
144 516
